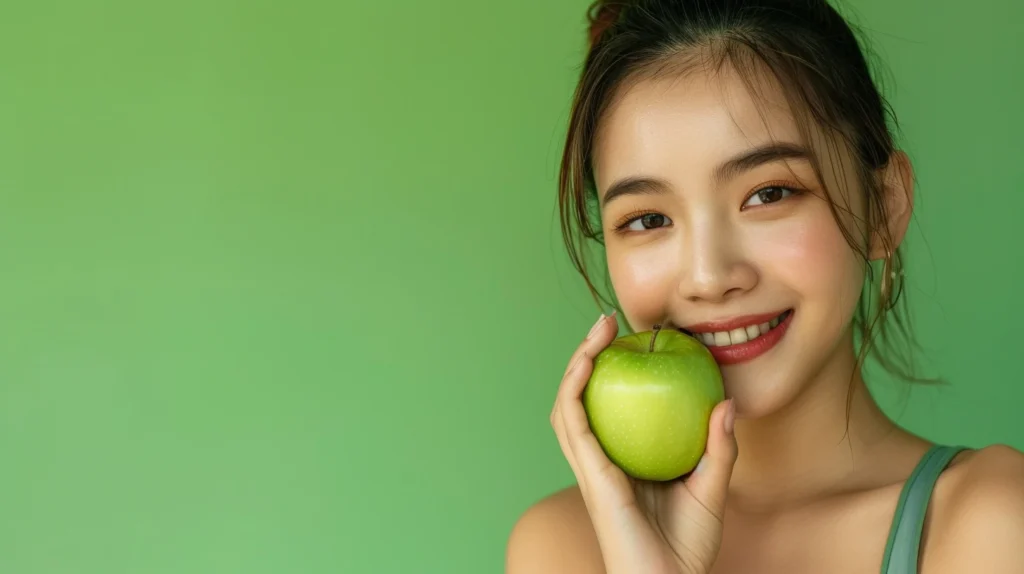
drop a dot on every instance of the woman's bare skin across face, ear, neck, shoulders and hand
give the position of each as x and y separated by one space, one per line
786 485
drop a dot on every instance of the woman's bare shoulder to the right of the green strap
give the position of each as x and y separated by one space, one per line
978 525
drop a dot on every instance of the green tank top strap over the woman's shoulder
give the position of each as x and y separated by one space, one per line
904 548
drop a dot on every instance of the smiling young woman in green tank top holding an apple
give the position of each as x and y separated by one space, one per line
734 160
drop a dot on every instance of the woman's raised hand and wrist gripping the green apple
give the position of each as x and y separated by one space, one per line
645 527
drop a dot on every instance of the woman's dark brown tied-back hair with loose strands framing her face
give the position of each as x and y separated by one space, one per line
822 67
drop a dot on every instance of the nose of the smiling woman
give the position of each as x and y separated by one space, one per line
719 269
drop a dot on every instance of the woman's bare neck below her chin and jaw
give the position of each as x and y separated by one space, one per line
816 446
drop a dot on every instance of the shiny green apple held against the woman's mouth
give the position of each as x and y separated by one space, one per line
650 401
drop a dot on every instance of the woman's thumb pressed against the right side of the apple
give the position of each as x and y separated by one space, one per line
710 482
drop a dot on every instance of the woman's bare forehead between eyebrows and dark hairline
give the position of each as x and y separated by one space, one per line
690 122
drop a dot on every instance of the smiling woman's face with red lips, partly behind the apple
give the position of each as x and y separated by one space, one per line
716 225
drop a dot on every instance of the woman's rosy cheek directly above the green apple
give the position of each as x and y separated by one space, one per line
644 279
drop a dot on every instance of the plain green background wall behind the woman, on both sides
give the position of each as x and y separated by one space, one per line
283 289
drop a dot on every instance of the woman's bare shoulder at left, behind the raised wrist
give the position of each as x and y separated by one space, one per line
554 536
